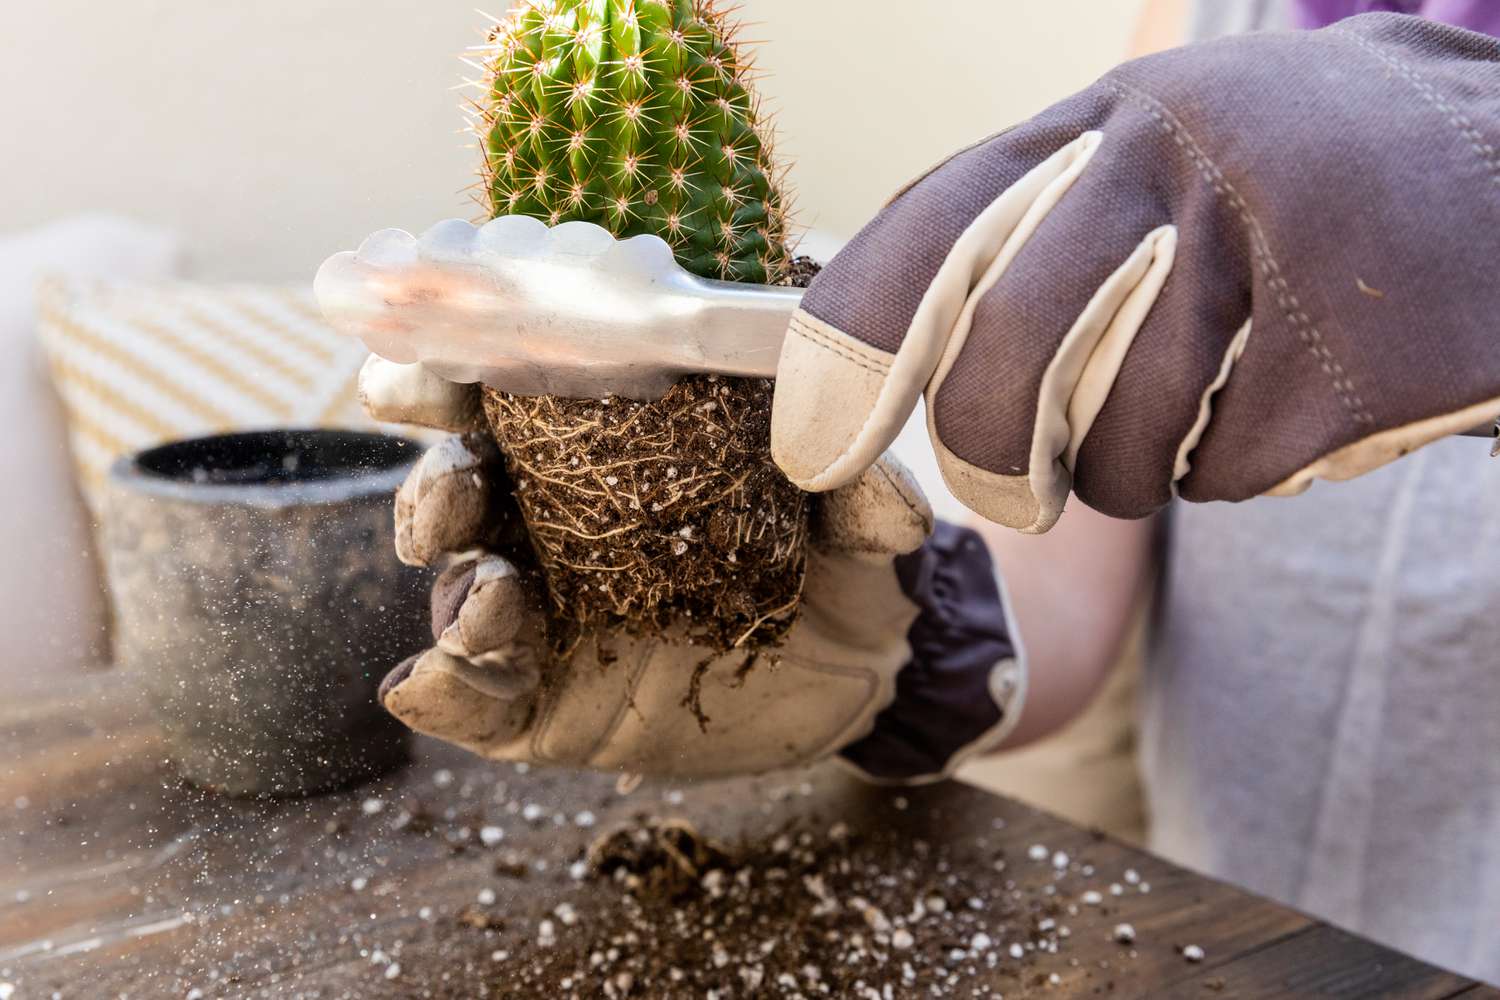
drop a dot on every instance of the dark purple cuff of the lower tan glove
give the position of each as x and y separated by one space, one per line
962 692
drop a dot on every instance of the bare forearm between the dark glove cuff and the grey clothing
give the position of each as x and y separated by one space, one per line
1073 594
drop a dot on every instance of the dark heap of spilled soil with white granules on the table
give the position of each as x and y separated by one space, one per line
797 915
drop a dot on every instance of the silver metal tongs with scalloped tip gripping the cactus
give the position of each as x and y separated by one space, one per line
536 310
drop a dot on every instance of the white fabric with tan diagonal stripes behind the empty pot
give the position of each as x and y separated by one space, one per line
143 364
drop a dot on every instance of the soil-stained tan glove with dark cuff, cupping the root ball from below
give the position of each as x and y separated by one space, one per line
901 659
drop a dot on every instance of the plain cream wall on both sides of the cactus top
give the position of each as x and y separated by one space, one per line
275 133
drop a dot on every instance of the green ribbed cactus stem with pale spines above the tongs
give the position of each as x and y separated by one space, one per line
637 116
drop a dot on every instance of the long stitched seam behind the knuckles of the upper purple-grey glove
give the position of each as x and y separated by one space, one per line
1271 271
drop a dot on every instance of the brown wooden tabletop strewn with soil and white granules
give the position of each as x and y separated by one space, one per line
121 882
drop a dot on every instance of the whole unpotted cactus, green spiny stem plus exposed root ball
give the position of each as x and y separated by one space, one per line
640 116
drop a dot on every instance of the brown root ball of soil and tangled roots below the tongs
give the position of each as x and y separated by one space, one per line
652 515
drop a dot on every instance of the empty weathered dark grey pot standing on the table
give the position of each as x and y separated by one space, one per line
260 602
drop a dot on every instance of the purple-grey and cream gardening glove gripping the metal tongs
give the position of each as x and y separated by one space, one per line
1219 274
